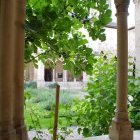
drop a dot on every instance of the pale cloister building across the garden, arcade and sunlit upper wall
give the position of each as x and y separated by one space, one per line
44 75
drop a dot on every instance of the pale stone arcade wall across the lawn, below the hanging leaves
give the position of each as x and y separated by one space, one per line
60 76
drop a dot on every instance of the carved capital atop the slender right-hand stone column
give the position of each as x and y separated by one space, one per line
122 6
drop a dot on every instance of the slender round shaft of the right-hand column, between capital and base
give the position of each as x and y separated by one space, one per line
122 61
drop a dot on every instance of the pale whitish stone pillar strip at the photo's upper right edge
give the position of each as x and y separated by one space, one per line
137 36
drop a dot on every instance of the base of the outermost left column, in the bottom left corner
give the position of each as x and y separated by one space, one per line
8 135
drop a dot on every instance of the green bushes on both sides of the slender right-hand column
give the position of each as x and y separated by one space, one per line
97 110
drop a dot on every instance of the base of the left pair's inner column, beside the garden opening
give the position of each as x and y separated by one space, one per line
21 133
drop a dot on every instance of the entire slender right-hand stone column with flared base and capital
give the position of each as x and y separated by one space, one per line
121 127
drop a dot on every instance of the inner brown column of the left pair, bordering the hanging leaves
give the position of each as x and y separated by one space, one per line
19 124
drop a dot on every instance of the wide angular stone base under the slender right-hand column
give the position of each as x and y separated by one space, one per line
120 130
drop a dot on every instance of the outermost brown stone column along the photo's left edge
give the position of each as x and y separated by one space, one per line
7 15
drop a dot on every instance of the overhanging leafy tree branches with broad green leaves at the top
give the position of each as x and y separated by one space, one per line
53 30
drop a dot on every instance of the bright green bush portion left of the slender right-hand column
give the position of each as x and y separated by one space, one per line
97 110
